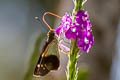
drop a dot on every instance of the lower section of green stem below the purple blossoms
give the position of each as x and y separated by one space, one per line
72 61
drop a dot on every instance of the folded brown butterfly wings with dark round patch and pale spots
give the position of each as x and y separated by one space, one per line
49 58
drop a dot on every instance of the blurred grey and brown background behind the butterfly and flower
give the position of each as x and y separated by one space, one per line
19 32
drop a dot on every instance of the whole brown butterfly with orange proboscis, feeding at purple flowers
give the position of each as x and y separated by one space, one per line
49 57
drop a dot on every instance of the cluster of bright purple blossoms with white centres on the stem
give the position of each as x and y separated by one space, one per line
80 29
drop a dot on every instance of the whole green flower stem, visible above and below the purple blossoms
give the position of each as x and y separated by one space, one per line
72 61
